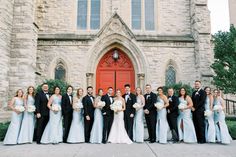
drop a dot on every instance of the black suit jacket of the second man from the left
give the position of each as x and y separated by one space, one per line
66 105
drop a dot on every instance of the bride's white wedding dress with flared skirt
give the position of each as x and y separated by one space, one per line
118 133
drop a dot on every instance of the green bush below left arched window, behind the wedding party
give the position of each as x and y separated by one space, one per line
52 83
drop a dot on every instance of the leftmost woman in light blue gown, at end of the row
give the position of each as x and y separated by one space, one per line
16 119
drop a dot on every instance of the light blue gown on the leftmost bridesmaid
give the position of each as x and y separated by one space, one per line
14 127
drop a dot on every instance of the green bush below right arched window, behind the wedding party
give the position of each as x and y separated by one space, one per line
177 86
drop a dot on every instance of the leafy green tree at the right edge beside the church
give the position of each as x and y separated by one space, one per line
224 65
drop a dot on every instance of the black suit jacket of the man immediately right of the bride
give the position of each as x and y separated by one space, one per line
129 104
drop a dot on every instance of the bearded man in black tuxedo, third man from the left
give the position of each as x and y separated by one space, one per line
88 102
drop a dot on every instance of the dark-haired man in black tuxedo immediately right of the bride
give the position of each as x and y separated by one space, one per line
130 100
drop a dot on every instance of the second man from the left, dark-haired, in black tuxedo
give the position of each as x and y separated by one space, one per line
67 111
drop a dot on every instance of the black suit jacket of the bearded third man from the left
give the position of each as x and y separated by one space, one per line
88 106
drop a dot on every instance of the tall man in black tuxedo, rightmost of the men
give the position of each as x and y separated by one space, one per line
199 98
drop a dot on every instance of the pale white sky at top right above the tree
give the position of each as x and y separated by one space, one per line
219 10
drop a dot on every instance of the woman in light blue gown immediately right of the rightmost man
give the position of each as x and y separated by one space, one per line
210 126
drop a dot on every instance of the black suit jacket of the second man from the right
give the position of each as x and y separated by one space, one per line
173 105
